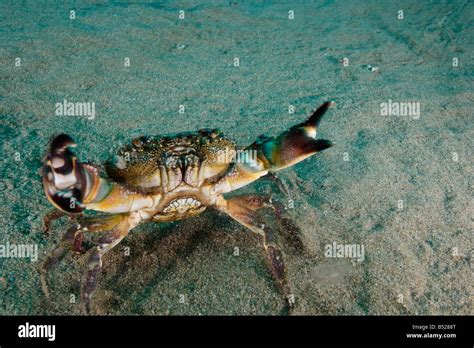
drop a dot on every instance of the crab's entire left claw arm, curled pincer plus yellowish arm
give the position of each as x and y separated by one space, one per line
72 186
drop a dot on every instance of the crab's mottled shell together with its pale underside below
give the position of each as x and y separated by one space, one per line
173 168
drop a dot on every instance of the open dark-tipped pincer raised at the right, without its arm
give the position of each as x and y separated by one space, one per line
292 146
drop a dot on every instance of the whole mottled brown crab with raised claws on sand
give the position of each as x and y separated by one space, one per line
166 179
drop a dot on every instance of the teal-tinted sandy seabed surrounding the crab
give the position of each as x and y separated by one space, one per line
401 186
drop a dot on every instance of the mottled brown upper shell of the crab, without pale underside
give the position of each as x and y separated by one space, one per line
160 164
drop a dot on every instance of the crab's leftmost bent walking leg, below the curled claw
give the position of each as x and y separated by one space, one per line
72 240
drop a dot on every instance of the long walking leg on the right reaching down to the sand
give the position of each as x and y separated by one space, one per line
236 209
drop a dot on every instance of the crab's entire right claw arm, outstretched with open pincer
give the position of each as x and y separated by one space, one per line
273 154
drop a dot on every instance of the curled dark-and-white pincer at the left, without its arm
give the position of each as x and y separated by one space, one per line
64 178
